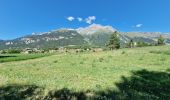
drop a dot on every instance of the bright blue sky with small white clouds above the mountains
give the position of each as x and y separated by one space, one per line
22 17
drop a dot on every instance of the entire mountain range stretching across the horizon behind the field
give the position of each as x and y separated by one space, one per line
94 35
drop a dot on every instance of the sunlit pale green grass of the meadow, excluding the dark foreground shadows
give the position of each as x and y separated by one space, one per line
84 71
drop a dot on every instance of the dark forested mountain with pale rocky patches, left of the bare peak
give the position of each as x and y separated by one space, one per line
58 38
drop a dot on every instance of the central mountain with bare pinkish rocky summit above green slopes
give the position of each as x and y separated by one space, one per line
99 35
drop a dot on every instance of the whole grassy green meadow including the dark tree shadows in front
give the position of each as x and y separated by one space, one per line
137 73
